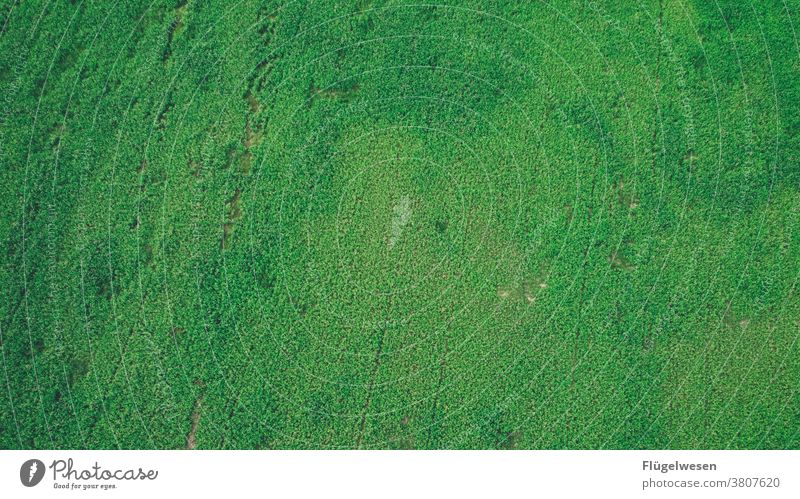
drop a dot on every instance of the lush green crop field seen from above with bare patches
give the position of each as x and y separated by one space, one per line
389 224
